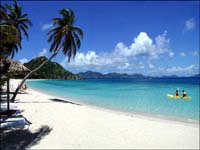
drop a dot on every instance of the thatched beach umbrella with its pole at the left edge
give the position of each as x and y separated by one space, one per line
9 68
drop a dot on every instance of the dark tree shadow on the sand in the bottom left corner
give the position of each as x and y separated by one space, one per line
22 139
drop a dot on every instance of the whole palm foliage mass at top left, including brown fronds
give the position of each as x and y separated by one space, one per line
13 22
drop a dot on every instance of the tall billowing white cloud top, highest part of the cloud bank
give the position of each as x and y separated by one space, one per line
143 45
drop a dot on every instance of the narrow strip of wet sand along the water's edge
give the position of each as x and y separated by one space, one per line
155 117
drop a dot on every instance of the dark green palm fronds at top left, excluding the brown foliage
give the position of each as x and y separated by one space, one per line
13 16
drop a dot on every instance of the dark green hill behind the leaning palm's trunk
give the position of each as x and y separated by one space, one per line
51 70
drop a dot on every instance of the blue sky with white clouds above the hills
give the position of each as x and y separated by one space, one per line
149 37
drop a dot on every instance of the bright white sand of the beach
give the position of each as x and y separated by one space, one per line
79 126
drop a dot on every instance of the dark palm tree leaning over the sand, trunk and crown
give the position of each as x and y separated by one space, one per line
63 36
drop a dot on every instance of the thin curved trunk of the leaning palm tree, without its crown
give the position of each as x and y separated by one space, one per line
29 74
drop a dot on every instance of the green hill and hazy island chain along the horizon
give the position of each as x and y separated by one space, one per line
53 70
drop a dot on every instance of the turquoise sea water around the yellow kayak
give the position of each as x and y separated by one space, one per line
130 95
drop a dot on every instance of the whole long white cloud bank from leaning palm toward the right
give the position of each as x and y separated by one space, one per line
130 58
